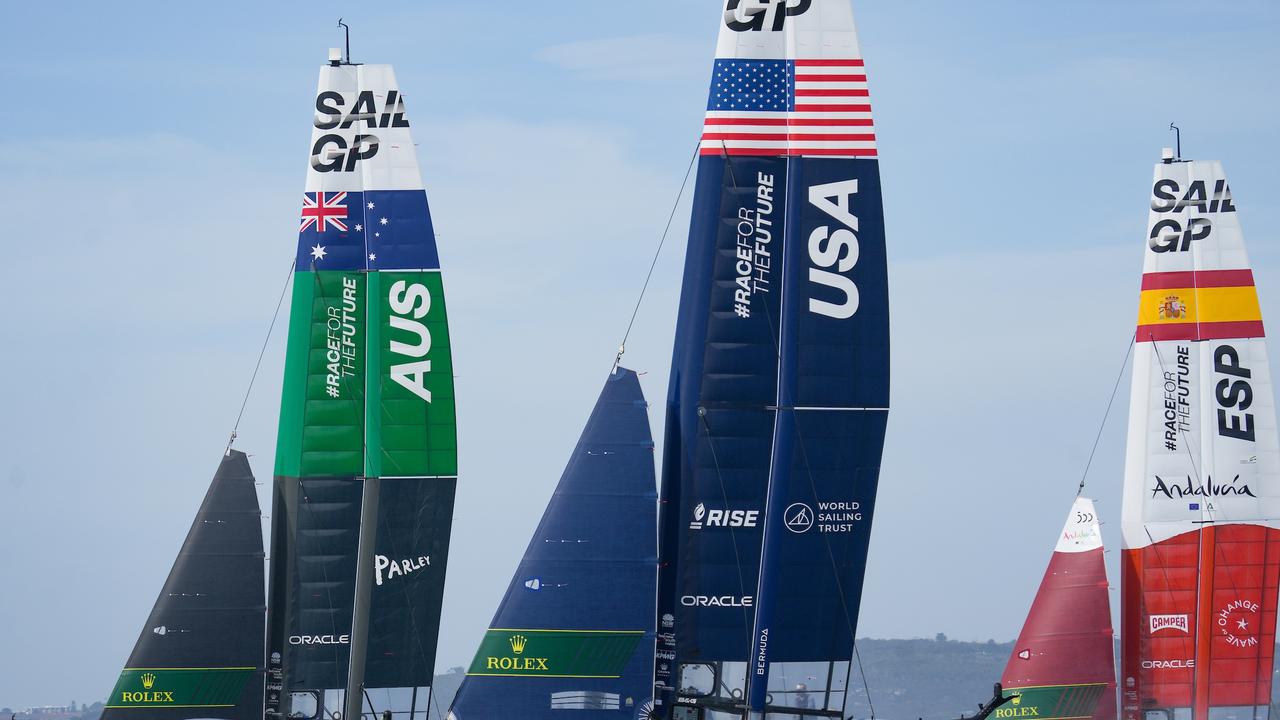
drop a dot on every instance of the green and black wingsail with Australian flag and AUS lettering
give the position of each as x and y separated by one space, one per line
367 461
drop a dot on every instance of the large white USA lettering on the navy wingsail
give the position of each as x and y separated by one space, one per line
834 254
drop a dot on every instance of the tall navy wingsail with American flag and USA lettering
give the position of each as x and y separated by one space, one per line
779 393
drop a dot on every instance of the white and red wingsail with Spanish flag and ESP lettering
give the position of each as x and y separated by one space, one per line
1203 473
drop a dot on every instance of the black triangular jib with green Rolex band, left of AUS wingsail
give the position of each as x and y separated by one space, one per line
200 654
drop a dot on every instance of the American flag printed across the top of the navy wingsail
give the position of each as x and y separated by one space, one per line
789 108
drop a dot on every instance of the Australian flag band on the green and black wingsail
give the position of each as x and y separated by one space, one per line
367 231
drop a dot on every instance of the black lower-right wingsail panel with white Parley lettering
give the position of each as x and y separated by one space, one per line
412 553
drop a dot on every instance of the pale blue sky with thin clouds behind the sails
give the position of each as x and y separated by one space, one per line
149 185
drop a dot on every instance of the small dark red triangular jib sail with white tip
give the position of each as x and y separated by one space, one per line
1063 666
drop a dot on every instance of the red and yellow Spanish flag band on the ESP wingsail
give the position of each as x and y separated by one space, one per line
1199 306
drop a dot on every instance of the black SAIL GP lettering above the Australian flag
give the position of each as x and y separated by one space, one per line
337 153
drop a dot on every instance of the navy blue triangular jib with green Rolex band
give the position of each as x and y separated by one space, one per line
575 628
